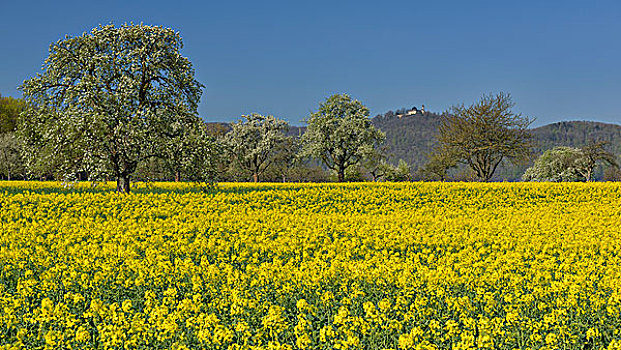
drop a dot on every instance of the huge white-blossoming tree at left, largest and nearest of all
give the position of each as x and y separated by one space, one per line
107 99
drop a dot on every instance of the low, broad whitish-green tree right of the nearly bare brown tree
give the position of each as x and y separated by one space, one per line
557 164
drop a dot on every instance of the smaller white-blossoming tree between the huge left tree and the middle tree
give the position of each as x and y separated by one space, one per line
254 142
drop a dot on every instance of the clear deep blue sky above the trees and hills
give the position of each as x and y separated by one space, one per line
560 60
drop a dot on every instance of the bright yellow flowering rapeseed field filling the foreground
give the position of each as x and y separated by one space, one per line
311 266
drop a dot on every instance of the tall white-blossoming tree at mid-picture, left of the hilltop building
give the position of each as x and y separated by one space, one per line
340 134
